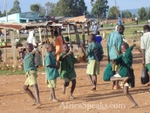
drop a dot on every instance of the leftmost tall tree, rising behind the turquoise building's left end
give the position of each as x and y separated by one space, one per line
16 8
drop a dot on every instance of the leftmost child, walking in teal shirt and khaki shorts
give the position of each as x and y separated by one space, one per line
31 74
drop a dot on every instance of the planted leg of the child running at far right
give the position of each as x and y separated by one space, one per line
126 91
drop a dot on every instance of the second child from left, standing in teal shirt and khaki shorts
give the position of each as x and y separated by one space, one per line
51 71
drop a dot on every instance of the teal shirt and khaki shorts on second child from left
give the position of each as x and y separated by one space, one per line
51 73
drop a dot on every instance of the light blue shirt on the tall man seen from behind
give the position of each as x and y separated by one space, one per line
115 40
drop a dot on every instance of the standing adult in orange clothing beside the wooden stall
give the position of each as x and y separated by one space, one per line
58 44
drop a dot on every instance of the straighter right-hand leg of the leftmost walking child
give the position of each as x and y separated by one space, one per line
36 91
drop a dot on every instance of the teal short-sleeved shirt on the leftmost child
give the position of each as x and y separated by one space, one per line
28 62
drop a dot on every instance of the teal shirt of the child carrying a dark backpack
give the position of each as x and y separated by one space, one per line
90 50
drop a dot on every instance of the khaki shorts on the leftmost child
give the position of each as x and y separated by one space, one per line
31 78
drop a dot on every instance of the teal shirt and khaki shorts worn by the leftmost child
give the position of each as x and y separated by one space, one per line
30 69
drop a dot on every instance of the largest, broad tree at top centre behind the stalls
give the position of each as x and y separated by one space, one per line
70 8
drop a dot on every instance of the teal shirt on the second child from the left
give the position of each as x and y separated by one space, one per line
51 73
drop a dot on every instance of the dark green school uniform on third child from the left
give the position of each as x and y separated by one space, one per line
67 71
